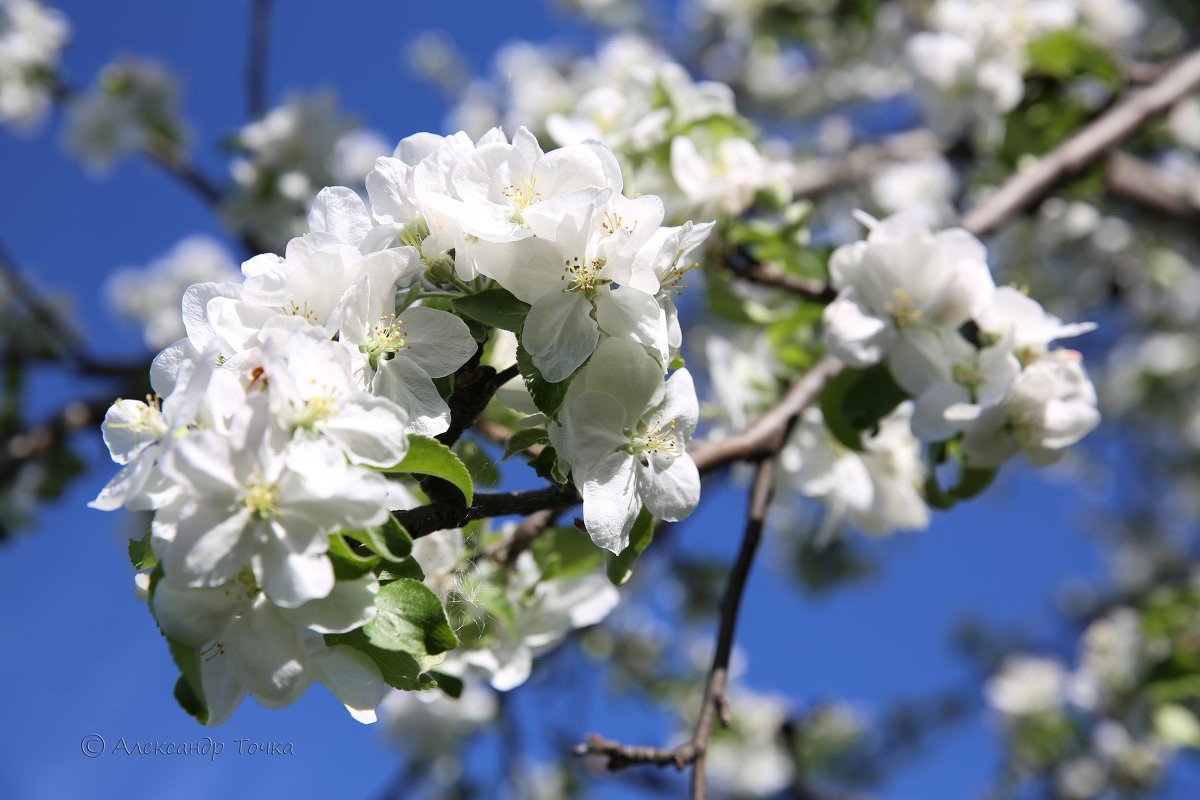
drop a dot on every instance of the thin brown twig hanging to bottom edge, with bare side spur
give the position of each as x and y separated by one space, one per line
716 706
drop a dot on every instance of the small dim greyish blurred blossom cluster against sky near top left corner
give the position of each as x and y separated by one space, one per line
134 106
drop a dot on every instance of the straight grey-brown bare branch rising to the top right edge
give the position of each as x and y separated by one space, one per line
1093 142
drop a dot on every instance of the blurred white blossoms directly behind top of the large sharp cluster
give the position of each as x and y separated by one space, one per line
680 140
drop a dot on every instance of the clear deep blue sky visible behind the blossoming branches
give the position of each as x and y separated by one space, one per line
85 658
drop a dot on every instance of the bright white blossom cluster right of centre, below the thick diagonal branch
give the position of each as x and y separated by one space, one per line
976 358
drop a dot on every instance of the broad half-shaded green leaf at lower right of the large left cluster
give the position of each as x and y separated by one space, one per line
411 618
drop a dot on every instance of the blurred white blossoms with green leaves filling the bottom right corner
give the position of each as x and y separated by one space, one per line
1101 725
